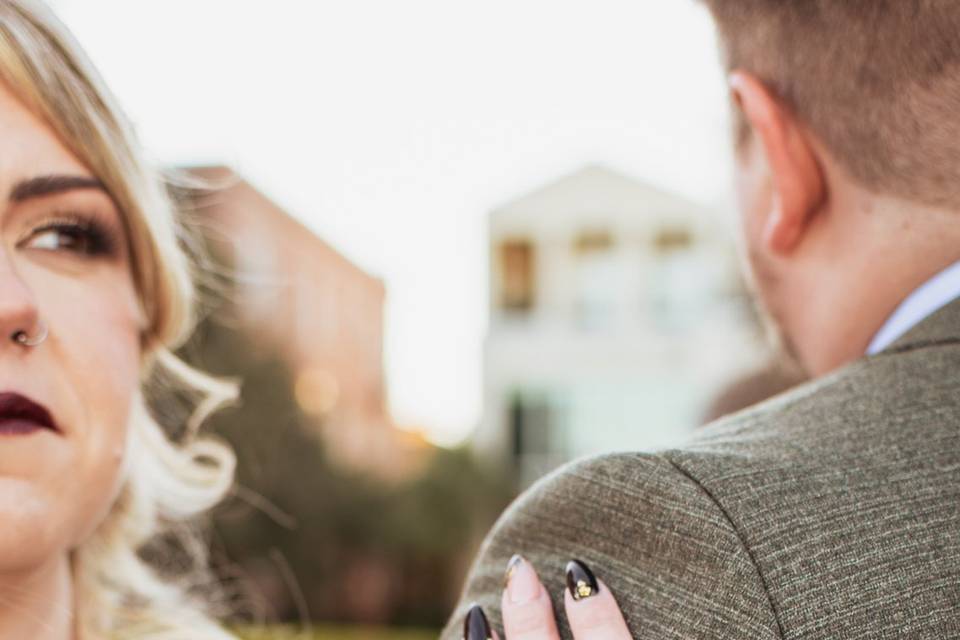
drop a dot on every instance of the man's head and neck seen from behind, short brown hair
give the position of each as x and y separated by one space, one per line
848 163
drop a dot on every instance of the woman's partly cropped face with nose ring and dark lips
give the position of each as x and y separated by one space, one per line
56 486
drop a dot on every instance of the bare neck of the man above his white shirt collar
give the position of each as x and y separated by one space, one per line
873 252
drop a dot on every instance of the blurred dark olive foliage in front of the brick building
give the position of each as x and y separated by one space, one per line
311 540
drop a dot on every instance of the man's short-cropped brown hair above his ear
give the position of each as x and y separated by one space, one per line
877 81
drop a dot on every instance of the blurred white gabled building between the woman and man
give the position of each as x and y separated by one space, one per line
617 312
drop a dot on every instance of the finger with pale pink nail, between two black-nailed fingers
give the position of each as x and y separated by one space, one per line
527 610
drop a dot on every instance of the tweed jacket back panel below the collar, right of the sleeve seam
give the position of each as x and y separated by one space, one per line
851 479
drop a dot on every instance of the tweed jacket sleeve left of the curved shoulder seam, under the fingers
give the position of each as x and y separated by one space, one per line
651 533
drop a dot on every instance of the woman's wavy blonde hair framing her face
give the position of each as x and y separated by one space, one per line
167 484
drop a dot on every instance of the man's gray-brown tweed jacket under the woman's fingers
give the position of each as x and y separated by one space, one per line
829 511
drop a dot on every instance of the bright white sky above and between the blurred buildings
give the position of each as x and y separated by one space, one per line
392 128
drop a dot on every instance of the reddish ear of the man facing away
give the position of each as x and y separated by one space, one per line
799 187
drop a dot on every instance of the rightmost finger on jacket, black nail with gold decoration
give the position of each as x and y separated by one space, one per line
591 609
